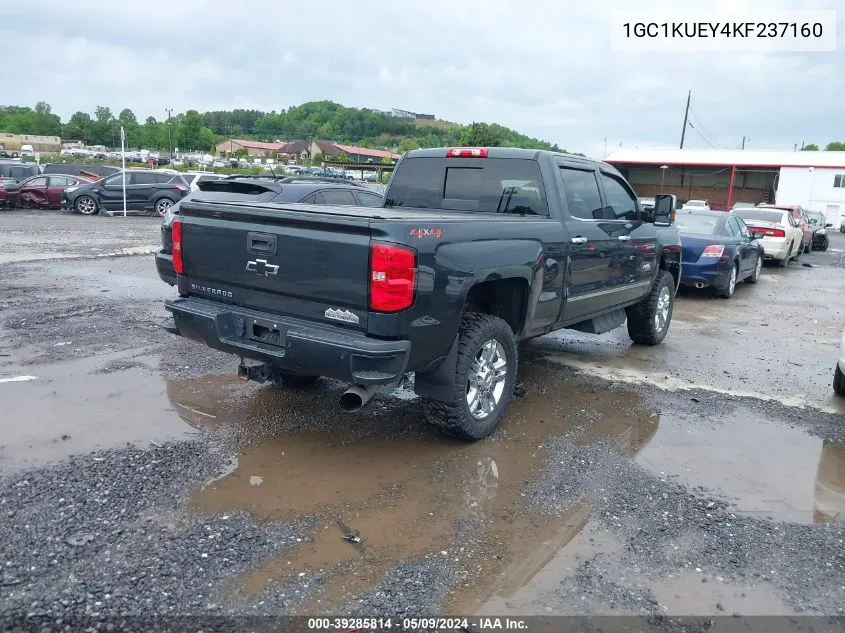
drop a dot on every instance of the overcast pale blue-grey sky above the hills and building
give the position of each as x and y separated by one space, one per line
543 68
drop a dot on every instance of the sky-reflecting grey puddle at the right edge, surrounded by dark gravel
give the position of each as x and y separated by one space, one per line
764 469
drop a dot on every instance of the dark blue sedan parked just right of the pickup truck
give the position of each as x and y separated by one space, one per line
718 251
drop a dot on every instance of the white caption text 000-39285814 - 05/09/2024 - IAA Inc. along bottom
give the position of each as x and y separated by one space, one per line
348 625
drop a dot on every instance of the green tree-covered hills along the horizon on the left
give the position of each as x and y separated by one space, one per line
326 120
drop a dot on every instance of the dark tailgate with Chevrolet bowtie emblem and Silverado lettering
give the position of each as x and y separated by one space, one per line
292 259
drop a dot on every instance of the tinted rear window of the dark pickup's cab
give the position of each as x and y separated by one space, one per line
487 185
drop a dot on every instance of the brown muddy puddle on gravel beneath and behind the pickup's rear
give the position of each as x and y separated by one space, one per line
405 489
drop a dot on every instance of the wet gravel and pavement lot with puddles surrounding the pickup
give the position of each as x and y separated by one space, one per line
705 476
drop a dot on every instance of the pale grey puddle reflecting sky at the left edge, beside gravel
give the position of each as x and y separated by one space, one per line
70 408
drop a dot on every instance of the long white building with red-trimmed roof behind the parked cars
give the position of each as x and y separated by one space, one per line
812 179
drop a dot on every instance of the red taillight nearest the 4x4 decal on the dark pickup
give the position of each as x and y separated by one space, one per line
393 274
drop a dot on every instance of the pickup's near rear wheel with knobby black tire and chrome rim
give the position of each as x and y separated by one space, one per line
483 341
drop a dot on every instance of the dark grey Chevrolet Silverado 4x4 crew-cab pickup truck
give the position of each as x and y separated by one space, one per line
474 250
